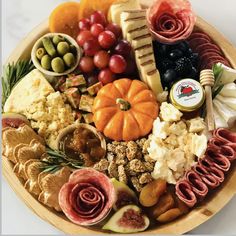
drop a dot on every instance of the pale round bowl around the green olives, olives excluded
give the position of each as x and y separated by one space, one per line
39 44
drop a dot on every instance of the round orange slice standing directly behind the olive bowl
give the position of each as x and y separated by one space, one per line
65 18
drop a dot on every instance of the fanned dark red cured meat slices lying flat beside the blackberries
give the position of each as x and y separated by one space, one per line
209 52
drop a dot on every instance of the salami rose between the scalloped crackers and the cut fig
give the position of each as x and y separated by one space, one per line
88 197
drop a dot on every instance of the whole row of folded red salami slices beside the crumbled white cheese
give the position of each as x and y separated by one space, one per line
210 170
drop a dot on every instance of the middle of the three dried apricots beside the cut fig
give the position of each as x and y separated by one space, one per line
165 203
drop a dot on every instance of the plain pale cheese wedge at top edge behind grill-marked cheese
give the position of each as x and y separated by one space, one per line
117 8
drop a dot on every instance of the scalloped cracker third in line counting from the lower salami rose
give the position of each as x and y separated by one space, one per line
25 152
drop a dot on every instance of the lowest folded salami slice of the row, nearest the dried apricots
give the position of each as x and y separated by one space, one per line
185 193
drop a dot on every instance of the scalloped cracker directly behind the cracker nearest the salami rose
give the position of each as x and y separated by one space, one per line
32 170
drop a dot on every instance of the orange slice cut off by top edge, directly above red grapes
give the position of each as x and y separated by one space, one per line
87 7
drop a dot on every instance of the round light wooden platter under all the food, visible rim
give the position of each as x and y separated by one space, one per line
203 212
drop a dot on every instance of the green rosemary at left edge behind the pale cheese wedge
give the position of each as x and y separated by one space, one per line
12 74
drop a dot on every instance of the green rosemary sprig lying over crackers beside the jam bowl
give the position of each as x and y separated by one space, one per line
55 160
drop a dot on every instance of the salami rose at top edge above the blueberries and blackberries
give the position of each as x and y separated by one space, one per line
171 21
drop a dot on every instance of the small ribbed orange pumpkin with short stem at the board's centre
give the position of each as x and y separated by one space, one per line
125 110
